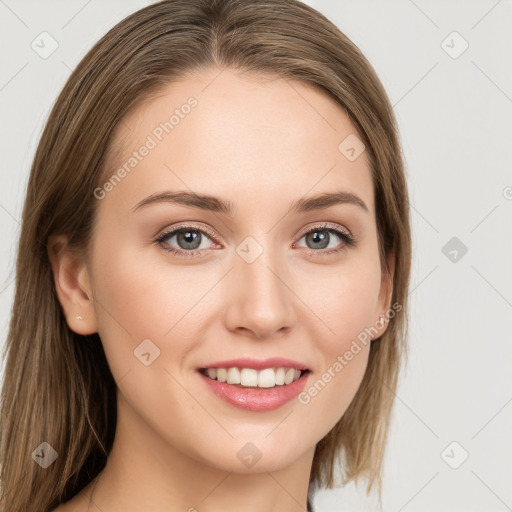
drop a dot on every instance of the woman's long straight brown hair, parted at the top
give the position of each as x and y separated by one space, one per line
57 386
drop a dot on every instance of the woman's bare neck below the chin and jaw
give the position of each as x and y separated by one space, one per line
144 471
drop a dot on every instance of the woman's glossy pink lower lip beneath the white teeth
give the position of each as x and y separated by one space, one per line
262 399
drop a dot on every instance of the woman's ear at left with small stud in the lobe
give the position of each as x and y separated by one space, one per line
72 285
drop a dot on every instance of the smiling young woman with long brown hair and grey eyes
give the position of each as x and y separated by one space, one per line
211 291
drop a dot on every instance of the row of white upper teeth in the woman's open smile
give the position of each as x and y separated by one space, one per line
249 377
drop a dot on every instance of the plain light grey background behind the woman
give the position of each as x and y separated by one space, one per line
455 121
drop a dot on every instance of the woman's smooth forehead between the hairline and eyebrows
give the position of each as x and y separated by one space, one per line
237 135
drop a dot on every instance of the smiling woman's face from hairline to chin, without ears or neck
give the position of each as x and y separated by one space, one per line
262 281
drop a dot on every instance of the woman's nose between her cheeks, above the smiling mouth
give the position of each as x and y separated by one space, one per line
260 300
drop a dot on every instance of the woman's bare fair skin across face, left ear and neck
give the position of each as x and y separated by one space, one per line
261 144
